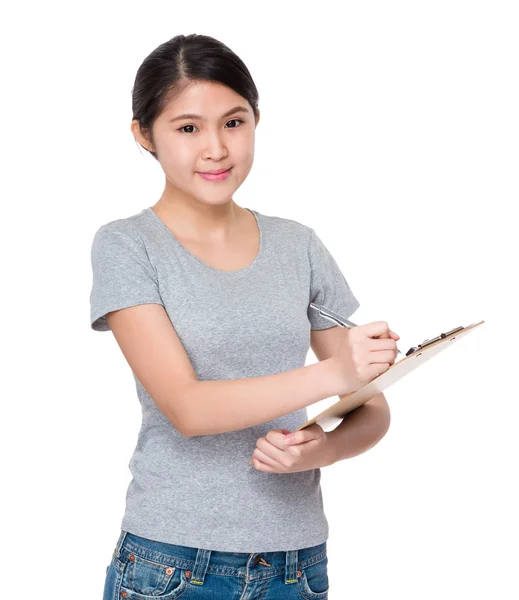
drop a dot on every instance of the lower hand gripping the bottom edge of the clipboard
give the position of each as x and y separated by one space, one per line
310 450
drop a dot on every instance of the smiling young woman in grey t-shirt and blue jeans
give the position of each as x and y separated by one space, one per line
209 303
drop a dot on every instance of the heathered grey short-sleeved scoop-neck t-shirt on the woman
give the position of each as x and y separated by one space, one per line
256 321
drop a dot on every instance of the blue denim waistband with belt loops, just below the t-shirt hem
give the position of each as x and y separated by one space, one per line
200 561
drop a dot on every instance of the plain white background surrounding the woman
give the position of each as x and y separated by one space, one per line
391 128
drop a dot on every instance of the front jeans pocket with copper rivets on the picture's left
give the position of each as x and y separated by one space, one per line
144 579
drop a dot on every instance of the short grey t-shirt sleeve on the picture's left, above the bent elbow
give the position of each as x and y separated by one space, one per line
122 274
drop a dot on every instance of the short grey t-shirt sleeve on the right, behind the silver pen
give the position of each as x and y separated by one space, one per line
328 286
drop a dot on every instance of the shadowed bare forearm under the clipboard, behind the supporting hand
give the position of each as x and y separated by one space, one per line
360 430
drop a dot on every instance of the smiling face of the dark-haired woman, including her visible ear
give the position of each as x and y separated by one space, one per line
220 138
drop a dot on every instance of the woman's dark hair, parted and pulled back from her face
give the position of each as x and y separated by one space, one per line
176 64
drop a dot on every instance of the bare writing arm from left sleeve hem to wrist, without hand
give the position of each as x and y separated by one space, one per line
157 357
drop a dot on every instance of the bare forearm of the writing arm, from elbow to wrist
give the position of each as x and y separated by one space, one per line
211 407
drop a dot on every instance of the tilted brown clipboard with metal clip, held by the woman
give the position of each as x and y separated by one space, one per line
414 358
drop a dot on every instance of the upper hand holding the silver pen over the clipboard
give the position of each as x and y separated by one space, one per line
361 357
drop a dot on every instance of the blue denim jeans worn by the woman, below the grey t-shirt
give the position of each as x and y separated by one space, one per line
143 569
